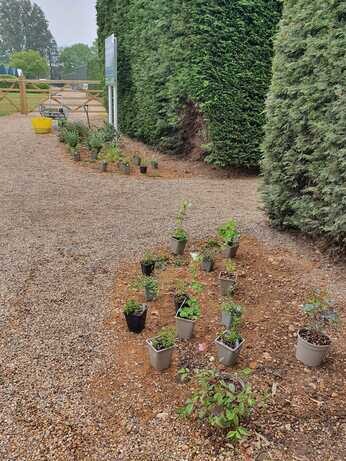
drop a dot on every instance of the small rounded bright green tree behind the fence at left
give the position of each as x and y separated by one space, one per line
31 62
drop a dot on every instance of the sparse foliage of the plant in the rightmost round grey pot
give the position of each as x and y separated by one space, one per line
319 309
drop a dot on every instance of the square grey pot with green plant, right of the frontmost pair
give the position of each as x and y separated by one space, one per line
229 344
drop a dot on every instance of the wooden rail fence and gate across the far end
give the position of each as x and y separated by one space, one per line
74 95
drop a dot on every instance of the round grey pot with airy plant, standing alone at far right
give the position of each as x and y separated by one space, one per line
313 343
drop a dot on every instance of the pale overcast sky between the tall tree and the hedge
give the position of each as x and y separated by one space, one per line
71 21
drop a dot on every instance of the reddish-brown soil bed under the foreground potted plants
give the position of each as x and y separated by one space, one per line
305 416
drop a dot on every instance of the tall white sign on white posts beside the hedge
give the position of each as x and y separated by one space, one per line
111 70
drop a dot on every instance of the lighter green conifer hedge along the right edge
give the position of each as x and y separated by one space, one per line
305 142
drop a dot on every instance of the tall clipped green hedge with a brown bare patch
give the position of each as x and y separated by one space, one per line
194 72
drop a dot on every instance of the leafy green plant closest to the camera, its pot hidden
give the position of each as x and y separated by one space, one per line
223 401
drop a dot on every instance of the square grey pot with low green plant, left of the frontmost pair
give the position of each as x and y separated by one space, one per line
160 349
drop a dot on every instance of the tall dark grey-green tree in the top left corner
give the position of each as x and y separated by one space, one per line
23 26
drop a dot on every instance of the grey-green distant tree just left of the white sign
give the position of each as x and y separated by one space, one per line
80 61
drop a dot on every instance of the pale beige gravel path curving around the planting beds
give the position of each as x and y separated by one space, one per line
63 231
